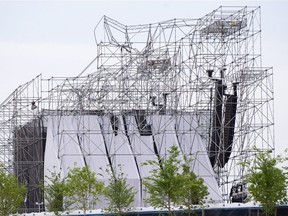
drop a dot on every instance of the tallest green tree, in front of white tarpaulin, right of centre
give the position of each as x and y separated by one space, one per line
165 181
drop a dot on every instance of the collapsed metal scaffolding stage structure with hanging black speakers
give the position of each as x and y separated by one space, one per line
205 72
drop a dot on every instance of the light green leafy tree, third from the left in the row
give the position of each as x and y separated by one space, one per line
82 188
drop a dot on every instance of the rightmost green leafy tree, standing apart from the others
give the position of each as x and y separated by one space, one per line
267 182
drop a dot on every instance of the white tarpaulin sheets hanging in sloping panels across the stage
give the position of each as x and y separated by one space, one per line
100 141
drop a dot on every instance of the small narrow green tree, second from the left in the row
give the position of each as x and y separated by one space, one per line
54 190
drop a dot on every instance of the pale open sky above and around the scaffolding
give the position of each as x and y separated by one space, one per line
56 38
